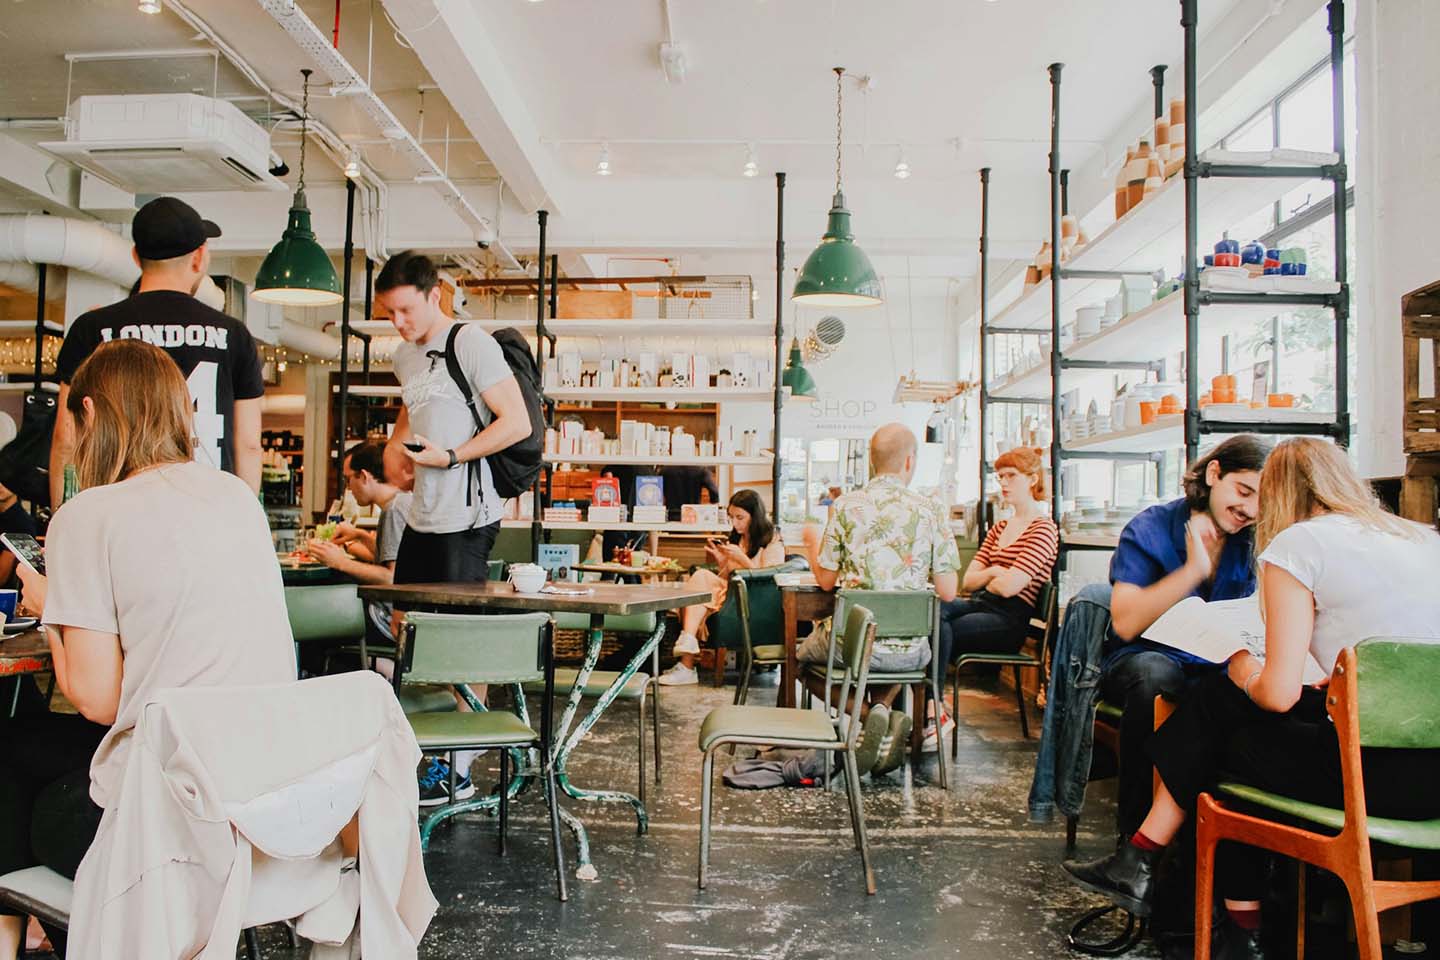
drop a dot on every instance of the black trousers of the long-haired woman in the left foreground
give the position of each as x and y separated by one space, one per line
47 815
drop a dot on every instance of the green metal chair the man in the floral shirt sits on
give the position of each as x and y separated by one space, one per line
899 614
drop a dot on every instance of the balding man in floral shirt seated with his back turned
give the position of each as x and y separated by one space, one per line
885 538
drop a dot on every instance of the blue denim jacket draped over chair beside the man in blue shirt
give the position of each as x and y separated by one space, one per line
1068 738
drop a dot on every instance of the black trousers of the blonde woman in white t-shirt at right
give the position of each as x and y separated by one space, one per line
1219 735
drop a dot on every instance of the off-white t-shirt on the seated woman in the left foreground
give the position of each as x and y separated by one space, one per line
179 563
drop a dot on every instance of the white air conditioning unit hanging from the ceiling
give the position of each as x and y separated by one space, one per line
168 143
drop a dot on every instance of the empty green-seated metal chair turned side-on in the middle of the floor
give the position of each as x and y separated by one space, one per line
798 729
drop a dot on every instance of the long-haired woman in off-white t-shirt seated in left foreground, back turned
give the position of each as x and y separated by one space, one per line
161 574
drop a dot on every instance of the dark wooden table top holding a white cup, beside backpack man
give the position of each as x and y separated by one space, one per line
607 598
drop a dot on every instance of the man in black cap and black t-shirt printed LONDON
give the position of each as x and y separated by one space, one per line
215 352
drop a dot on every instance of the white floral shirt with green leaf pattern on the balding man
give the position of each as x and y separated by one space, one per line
888 538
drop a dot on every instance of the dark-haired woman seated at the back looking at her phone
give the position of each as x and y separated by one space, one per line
754 543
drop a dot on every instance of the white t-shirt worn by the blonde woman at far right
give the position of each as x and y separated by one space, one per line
1366 582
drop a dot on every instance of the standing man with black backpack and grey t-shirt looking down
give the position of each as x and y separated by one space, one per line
463 408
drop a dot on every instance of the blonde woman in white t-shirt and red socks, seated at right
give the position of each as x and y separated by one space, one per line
1336 568
